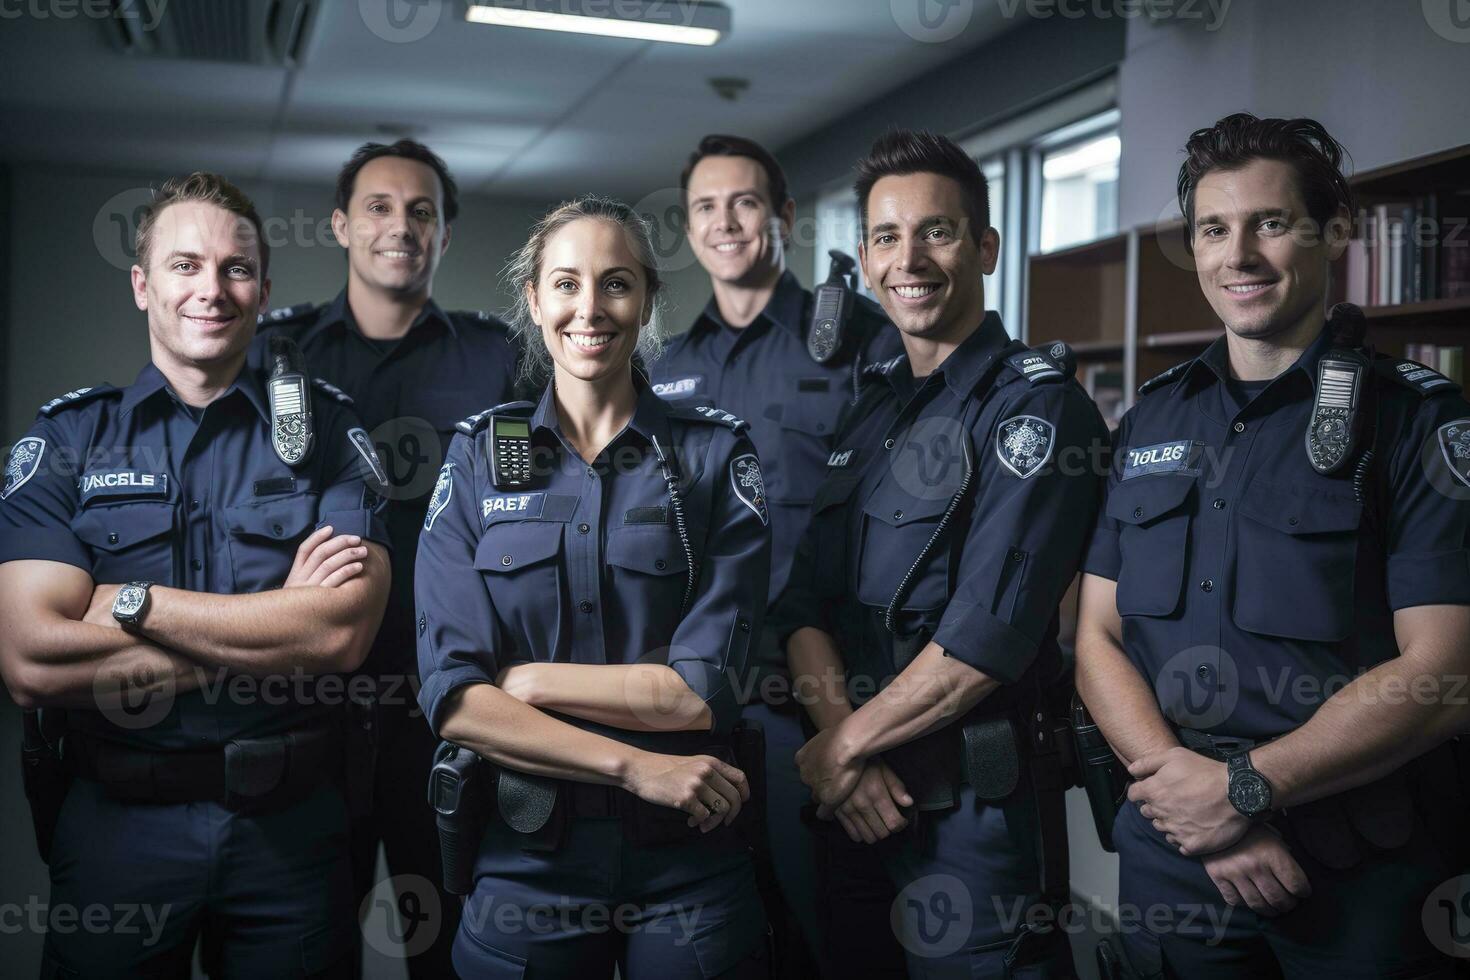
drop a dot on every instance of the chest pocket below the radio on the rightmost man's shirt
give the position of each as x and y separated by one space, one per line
1296 562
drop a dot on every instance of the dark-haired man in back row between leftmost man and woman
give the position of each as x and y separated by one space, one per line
414 371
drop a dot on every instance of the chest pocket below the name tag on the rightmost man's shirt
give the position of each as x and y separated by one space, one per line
1153 540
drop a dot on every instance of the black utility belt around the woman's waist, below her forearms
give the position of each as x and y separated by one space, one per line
467 793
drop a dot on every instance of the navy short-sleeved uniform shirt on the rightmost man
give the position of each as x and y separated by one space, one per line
1253 588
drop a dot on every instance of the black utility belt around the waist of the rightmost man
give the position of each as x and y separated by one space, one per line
1340 831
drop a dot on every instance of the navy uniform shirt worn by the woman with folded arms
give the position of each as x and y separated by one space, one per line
586 566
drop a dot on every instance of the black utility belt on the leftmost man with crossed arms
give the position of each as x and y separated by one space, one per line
245 775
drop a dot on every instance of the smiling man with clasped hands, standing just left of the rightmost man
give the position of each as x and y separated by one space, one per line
922 608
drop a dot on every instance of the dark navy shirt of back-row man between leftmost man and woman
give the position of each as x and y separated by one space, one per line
409 393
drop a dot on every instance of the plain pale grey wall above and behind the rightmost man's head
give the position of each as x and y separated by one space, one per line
1375 74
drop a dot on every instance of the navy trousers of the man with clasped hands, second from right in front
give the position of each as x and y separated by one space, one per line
968 885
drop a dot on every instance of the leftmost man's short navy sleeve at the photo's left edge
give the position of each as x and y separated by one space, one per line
40 500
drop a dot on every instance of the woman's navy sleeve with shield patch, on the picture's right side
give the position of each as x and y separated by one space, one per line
712 644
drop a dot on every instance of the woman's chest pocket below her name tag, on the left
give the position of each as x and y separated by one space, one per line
520 563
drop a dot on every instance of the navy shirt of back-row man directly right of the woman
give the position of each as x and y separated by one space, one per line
765 375
